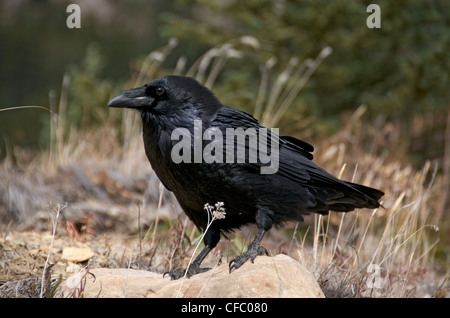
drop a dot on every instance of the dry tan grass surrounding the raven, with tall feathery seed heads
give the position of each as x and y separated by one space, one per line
117 206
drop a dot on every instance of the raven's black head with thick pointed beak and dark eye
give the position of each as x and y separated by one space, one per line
169 96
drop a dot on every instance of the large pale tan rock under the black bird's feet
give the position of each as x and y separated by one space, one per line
278 276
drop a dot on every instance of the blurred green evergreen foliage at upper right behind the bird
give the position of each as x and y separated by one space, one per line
399 70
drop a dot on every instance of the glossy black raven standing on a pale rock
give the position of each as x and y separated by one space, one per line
298 187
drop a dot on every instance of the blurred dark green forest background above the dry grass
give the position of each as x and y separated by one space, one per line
400 72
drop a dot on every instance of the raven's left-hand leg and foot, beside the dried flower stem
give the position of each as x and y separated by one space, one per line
211 239
